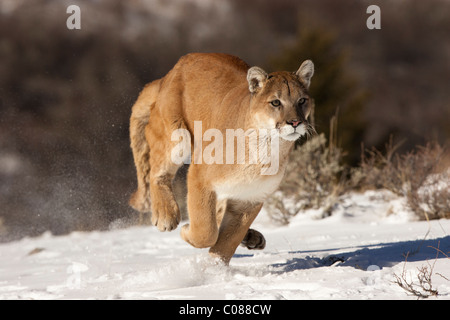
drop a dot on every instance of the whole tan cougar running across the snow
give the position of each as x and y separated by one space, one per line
222 92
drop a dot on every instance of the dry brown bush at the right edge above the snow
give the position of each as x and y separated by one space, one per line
417 175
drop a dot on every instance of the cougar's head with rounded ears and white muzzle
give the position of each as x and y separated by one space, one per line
280 100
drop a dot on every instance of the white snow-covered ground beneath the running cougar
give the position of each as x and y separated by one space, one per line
354 254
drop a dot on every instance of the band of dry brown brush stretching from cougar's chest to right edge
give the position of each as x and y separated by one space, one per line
316 178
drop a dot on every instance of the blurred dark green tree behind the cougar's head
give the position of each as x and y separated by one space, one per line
333 87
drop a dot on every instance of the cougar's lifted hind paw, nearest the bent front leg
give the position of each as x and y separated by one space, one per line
165 215
